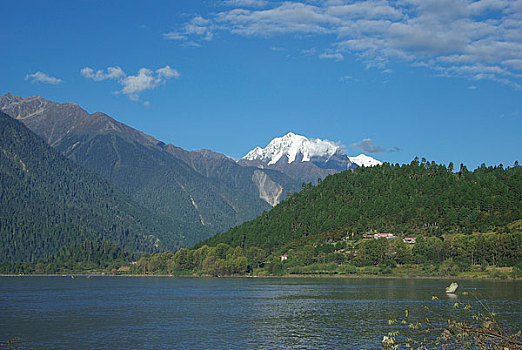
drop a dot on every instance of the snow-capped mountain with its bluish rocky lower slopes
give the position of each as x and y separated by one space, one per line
304 159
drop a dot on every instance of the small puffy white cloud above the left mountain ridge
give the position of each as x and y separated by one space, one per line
132 85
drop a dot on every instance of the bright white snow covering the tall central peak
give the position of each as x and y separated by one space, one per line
291 145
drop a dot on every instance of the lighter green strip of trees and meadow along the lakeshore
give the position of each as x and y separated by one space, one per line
475 255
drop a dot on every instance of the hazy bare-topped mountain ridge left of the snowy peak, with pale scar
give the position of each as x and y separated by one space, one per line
201 193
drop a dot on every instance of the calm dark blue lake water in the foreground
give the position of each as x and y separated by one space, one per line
227 313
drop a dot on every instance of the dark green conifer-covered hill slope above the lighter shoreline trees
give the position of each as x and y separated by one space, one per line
418 198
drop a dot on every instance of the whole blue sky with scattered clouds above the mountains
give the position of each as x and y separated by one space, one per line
438 79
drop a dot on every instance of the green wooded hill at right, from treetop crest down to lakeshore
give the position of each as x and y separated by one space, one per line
465 224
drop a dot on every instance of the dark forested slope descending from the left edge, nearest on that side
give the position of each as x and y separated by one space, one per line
48 202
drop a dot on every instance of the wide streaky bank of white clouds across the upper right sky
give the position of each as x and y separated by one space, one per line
449 37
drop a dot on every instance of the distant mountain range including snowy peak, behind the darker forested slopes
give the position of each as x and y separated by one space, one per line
193 194
